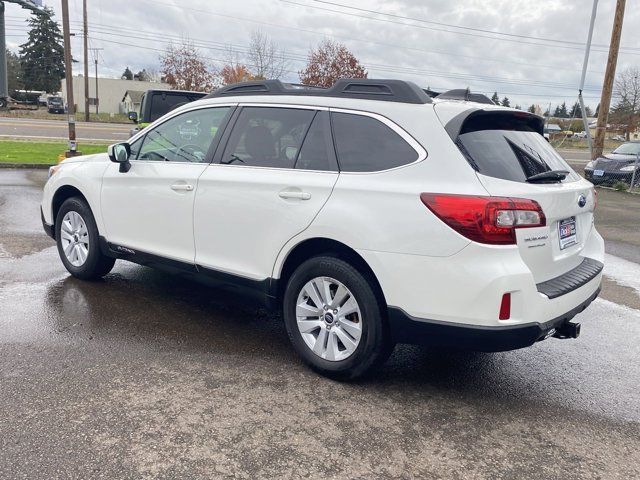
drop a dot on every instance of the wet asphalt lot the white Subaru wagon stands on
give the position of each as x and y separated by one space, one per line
146 375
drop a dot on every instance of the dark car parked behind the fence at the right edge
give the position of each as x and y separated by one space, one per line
617 166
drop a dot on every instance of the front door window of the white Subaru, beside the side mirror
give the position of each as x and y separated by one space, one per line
184 138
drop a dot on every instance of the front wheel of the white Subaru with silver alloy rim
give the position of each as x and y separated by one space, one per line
78 241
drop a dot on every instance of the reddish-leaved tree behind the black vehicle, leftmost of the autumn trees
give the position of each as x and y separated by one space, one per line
185 69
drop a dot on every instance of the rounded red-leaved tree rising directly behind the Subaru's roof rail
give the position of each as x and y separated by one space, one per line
330 62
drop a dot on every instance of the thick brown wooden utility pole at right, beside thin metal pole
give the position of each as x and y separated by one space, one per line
609 76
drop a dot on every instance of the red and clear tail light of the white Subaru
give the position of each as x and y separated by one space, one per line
490 220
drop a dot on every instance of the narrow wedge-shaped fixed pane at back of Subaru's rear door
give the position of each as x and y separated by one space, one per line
316 153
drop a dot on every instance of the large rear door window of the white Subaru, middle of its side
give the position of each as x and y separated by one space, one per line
267 137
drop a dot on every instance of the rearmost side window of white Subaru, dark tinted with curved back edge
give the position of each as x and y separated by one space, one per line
365 144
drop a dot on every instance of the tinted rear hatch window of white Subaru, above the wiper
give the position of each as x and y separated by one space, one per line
508 147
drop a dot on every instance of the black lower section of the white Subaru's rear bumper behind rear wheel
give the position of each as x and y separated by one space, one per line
412 330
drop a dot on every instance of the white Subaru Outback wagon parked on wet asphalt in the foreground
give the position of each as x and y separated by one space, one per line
369 212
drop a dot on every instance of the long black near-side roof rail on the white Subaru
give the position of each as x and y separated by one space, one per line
367 89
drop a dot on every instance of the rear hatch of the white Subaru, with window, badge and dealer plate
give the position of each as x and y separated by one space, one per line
512 159
